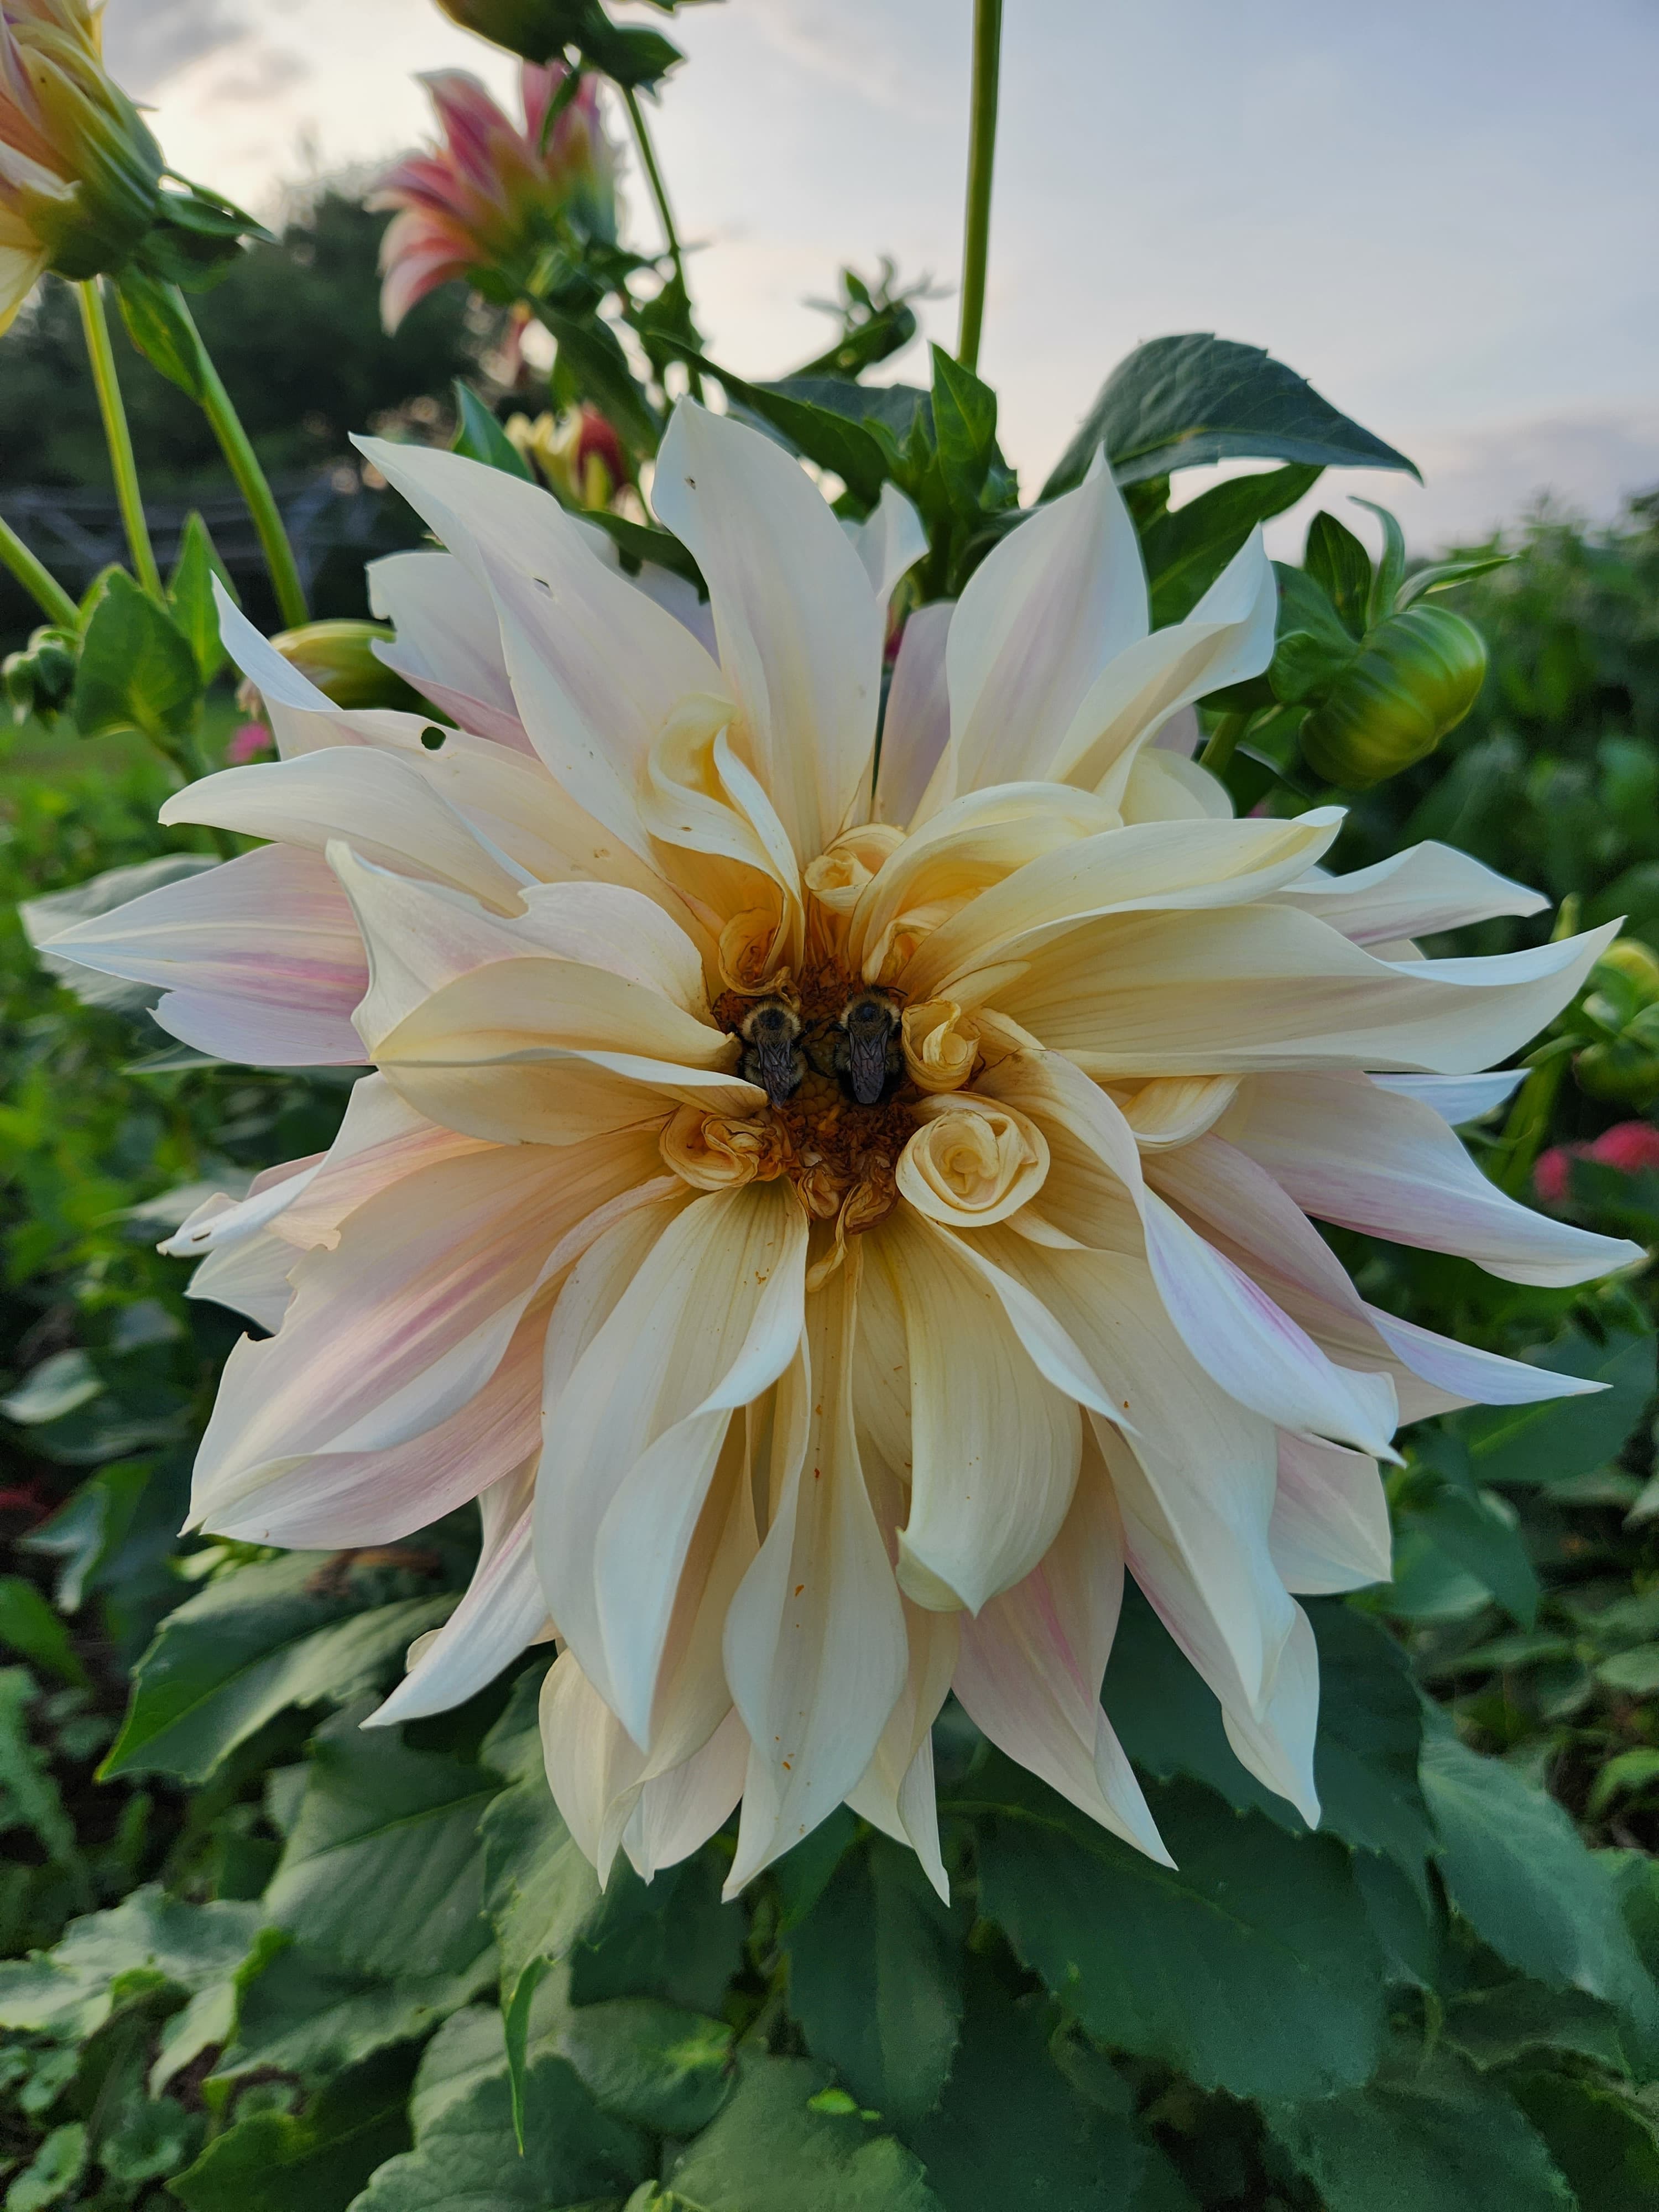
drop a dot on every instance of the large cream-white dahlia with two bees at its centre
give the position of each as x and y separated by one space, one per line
833 1220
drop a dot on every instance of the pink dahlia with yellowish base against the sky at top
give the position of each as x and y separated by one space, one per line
492 198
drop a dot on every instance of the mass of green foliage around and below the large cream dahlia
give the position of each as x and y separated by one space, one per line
258 1919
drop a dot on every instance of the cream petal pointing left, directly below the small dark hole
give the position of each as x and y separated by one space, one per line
373 800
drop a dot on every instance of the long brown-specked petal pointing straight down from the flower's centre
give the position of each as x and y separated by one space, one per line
815 1638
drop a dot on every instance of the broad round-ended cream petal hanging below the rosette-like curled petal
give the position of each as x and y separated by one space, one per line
994 1443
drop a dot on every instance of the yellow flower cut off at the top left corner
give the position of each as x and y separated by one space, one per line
79 169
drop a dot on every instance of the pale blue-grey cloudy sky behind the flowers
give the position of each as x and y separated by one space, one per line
1443 213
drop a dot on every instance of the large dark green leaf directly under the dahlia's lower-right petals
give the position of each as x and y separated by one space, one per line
1185 1963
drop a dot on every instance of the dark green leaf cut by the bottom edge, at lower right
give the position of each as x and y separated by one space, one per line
1439 2142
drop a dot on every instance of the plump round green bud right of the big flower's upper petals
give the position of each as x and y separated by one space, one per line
1415 678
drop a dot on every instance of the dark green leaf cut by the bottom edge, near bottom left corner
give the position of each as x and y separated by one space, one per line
317 2162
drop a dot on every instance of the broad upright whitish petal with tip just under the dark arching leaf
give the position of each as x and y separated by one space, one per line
1045 614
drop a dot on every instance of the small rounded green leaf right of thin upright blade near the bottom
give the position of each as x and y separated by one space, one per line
649 2063
